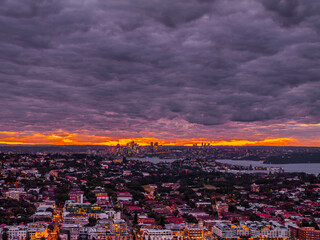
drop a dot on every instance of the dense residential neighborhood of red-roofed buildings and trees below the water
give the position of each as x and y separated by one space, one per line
97 195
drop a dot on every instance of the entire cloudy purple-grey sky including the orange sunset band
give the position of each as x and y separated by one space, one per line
226 72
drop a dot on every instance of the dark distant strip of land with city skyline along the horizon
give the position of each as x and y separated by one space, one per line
266 154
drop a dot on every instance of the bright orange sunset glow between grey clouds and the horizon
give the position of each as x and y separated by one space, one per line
61 137
